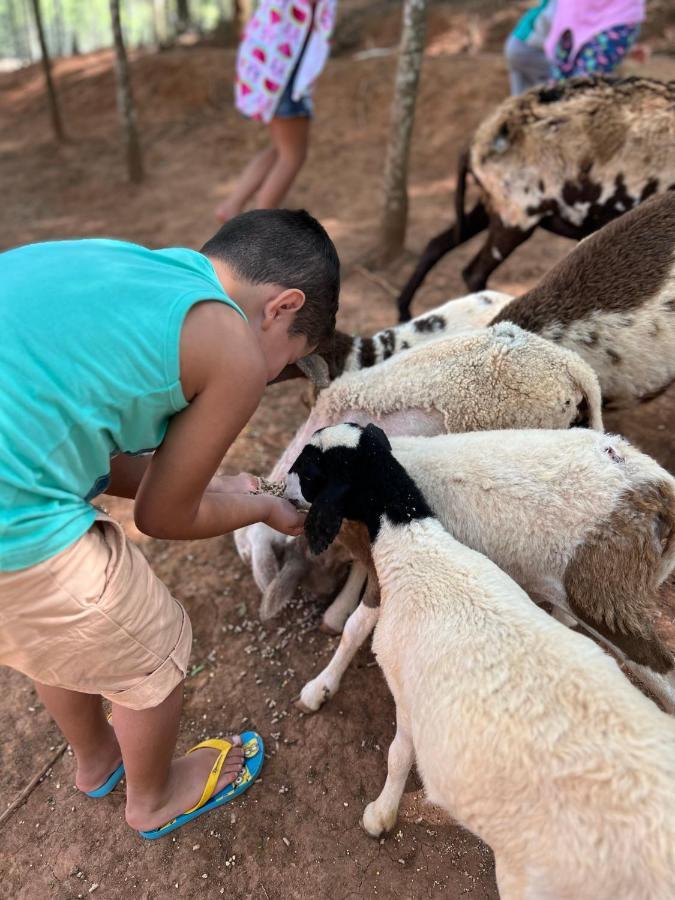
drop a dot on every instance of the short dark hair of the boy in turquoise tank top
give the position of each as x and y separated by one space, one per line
289 248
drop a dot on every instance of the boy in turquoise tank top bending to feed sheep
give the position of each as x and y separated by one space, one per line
111 350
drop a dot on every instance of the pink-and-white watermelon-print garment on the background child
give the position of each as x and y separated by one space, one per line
270 48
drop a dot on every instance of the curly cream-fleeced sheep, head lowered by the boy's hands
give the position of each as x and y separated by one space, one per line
498 377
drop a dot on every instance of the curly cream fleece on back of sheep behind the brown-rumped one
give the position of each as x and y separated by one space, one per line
498 377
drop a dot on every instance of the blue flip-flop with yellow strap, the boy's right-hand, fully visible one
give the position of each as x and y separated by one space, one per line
254 755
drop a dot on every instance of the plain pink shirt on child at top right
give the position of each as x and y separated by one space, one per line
586 18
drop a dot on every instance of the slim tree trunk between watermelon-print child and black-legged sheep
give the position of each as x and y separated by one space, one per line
395 212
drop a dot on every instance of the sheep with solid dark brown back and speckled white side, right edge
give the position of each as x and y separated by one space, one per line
612 301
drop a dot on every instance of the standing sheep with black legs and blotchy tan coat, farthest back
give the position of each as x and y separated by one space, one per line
568 158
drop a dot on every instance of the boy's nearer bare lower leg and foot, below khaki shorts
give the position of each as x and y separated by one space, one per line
159 787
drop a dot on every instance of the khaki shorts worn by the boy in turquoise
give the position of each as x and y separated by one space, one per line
96 619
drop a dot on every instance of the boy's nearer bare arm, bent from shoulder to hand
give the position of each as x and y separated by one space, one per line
225 375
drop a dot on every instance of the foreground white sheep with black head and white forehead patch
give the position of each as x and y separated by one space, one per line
523 731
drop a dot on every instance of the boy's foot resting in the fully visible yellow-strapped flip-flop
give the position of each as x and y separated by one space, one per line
187 778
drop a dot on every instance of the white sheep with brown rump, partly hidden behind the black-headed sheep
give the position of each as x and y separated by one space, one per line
582 521
